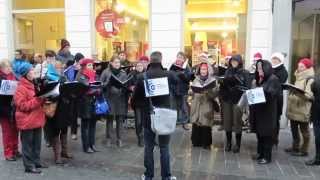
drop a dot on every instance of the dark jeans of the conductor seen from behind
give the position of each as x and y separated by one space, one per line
149 142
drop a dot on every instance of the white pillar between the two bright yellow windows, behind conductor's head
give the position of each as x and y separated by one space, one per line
166 28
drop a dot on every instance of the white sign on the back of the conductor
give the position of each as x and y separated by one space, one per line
156 87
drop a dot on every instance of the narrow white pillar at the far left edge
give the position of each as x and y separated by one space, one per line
5 29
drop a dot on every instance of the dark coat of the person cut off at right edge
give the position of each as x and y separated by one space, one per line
315 88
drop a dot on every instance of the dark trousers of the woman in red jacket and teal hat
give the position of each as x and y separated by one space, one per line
31 147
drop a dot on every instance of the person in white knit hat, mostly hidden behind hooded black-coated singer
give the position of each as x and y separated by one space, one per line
282 74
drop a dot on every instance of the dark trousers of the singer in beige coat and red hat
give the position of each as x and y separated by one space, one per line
296 128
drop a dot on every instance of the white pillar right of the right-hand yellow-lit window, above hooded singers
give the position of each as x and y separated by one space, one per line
259 29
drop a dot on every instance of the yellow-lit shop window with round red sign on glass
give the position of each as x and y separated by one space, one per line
121 25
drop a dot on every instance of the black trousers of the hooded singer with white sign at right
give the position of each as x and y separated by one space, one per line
264 147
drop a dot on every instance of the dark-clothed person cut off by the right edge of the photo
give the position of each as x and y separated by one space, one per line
315 118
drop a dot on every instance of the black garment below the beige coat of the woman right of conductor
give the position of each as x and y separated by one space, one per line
201 135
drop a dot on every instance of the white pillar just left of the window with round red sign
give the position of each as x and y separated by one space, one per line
78 15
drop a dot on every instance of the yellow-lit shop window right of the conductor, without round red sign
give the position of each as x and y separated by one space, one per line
215 27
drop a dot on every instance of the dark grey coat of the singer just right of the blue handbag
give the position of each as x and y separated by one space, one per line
116 97
